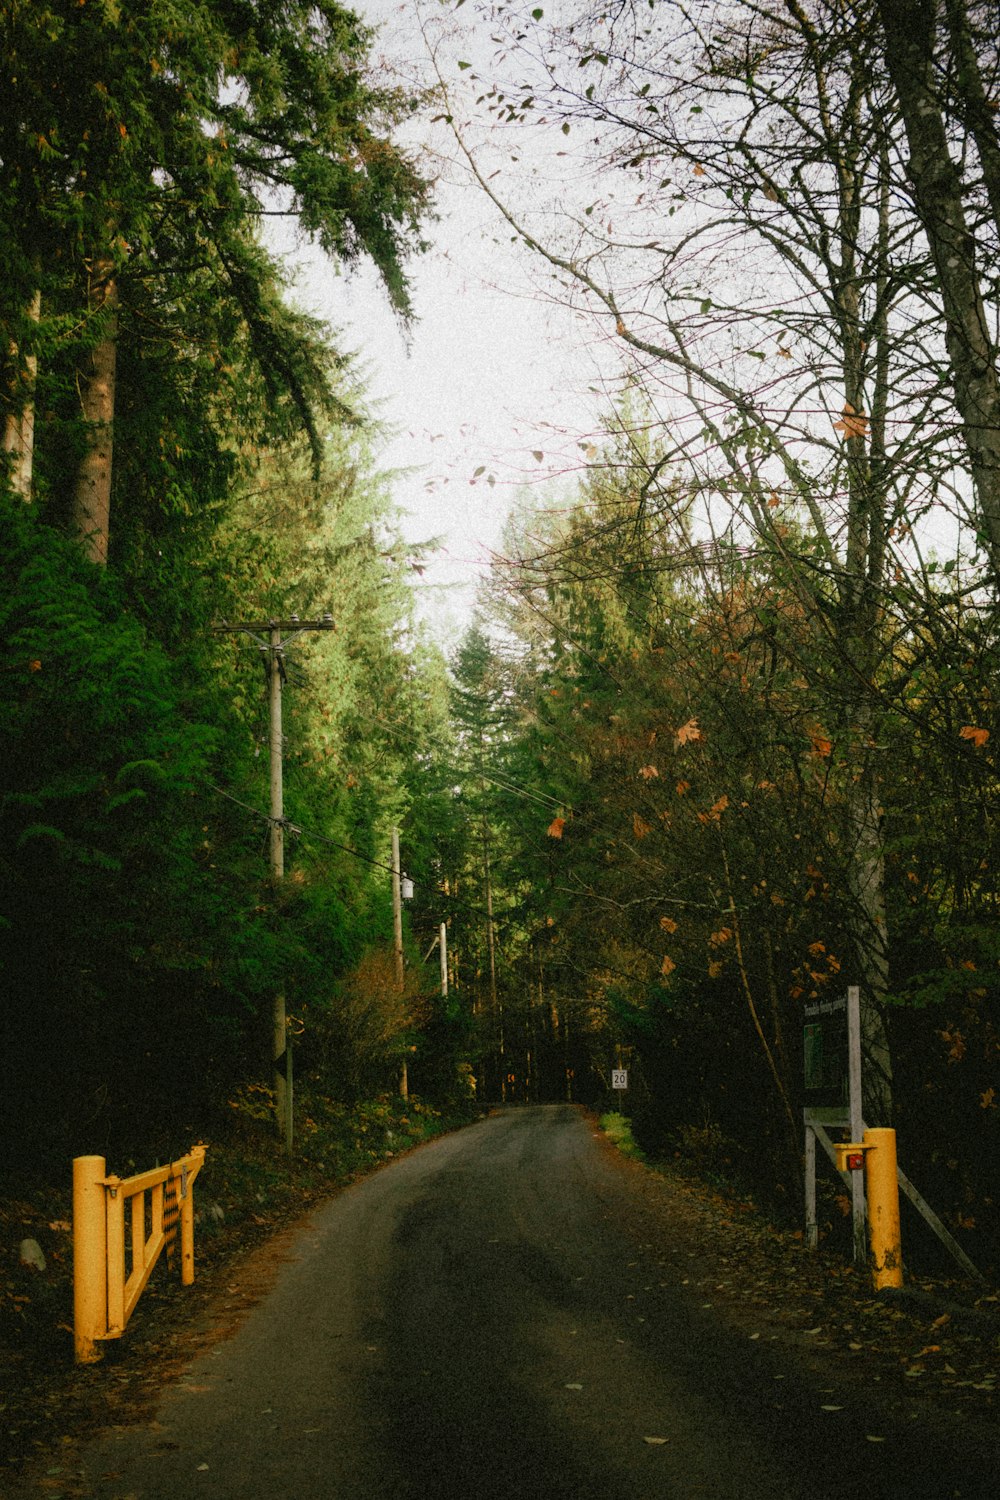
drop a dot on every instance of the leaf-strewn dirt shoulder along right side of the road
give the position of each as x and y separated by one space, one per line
930 1354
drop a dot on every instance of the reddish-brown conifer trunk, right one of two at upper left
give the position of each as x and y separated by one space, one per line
97 385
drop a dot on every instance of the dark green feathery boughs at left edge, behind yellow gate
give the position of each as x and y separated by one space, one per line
103 772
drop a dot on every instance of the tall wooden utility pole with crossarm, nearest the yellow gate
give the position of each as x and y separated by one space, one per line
272 637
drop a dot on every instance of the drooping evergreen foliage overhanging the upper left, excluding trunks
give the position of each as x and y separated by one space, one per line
142 148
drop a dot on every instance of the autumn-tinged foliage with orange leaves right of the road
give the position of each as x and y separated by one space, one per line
678 826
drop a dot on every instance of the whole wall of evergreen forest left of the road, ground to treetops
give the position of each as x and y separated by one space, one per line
185 449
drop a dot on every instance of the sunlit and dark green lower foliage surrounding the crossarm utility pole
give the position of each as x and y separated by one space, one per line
137 911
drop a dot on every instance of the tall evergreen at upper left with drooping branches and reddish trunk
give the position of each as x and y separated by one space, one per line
145 143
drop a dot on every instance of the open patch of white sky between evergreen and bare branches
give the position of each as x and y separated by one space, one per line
491 374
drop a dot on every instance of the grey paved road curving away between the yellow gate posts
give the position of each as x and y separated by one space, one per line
479 1322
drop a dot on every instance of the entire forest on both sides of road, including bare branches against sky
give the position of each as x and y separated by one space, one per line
720 740
